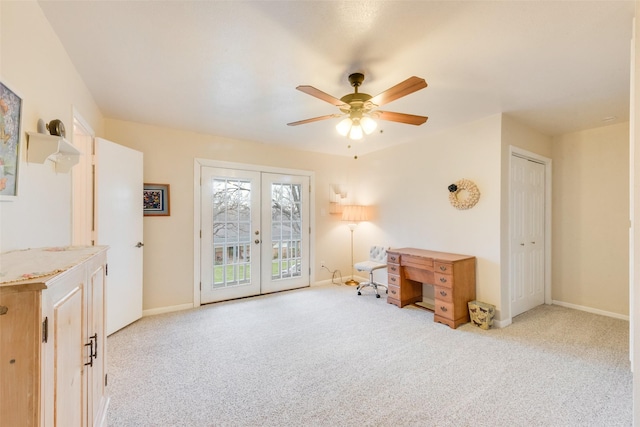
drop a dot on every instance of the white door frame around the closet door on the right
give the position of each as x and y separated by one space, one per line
524 154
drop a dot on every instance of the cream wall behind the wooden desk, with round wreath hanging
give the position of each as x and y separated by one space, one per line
408 185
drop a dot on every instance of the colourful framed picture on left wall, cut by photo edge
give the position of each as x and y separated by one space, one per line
10 135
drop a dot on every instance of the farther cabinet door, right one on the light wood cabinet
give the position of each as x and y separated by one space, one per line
96 398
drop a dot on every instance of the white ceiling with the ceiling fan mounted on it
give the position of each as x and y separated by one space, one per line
230 68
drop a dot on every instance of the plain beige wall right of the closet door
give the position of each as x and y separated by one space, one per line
591 219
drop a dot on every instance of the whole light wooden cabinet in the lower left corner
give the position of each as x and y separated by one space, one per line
52 338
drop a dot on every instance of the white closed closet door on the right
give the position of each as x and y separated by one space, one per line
527 234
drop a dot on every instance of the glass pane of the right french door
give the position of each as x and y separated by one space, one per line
286 225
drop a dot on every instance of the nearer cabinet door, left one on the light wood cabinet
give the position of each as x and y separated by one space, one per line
68 351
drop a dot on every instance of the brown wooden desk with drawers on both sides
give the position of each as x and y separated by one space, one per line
453 277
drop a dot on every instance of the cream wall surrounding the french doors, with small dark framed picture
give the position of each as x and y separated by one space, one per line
168 159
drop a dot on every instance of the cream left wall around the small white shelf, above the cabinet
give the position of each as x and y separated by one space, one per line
35 65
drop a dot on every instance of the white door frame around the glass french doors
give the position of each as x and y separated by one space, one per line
200 162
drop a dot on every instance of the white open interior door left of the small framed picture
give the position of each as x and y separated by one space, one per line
119 225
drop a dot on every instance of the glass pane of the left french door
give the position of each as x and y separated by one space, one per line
231 232
